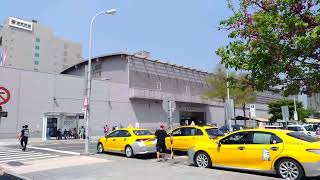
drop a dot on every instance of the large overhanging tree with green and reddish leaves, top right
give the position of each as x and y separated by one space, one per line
277 41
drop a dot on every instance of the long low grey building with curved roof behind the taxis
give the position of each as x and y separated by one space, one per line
127 89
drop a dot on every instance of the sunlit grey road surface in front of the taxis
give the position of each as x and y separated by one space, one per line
116 166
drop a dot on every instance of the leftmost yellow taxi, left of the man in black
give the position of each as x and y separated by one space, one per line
129 141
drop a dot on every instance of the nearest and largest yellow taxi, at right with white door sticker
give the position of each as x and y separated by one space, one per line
290 155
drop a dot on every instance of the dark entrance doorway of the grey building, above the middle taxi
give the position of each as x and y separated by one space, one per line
187 117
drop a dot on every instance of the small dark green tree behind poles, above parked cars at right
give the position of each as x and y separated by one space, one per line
275 110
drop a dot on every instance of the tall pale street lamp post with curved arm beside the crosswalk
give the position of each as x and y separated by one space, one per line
88 90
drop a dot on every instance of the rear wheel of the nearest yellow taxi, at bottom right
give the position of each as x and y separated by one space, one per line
289 169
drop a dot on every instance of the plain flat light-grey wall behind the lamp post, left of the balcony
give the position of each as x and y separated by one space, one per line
33 94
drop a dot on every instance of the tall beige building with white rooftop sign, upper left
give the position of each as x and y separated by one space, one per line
30 45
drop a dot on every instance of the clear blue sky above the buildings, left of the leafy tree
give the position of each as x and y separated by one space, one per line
179 31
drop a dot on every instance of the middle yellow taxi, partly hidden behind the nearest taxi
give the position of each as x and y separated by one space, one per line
185 137
